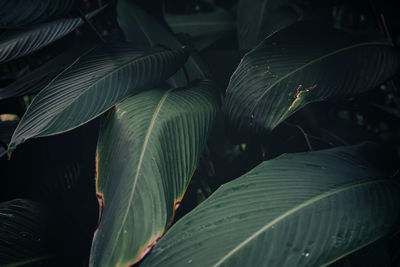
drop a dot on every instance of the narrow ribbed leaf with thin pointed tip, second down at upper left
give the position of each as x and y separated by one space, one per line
17 43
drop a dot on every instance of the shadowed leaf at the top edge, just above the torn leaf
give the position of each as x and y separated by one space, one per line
258 19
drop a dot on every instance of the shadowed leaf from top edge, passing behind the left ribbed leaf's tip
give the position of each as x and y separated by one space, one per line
141 29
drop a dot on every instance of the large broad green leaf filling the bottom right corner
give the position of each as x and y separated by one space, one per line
305 209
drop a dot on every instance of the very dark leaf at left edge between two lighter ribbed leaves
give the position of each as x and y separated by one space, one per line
36 80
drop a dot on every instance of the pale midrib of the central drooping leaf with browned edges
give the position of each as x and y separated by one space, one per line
141 157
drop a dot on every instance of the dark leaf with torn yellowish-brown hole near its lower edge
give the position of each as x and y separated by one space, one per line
304 63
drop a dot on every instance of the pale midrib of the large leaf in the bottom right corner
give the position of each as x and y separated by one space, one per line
290 212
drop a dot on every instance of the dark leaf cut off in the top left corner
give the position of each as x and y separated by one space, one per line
20 13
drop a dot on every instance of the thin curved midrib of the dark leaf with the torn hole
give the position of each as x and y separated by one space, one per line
310 63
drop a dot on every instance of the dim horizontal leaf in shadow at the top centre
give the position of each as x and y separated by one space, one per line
198 25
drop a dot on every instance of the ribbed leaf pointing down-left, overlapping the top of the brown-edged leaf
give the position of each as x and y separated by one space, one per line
97 81
